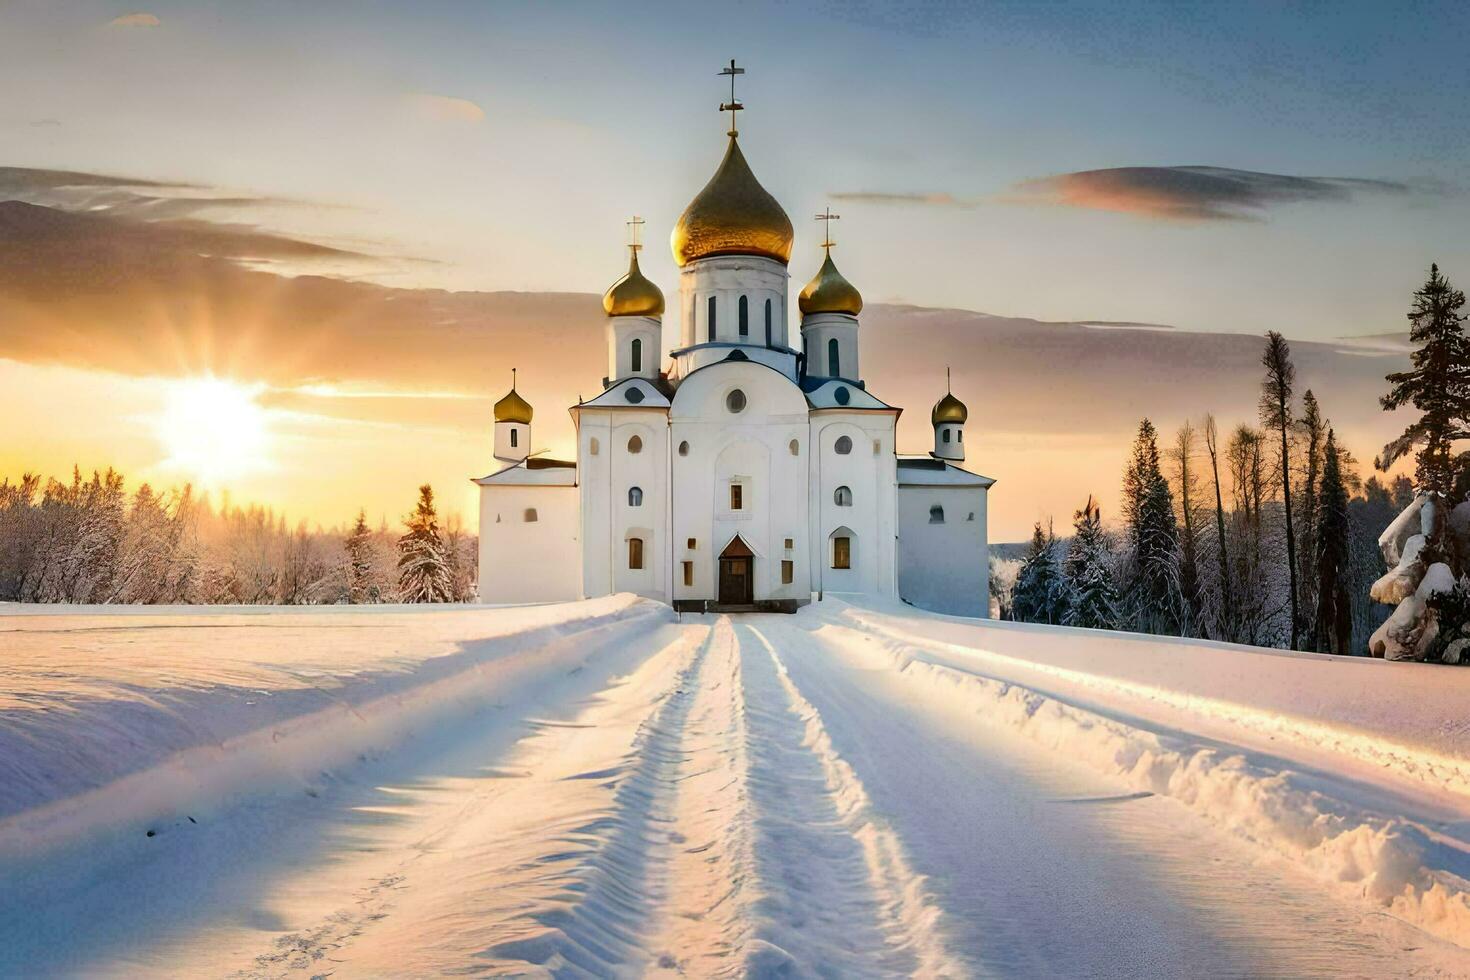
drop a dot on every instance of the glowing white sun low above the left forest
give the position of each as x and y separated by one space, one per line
214 430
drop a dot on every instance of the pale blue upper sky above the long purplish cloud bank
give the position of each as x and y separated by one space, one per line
598 111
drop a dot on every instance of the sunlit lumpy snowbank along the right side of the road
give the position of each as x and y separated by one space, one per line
1397 721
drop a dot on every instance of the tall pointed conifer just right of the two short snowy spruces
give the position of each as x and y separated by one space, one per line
1155 597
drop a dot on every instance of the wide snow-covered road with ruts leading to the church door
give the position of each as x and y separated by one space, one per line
721 797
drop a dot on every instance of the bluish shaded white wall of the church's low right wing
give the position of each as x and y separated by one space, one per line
944 568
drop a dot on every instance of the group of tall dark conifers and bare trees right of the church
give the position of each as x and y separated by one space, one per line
1268 536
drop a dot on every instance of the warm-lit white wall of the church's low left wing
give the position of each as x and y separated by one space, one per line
528 562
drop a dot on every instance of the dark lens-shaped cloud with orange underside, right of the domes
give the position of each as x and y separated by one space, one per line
1196 193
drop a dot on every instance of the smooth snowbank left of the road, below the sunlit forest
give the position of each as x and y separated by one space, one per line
112 718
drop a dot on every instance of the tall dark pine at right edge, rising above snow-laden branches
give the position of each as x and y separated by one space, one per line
1438 384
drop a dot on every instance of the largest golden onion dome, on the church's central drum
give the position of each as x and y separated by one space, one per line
734 215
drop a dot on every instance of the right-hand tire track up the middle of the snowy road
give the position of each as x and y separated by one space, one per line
840 896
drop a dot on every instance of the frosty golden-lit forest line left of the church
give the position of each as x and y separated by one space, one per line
93 541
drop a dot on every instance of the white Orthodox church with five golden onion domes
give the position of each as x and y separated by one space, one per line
745 469
